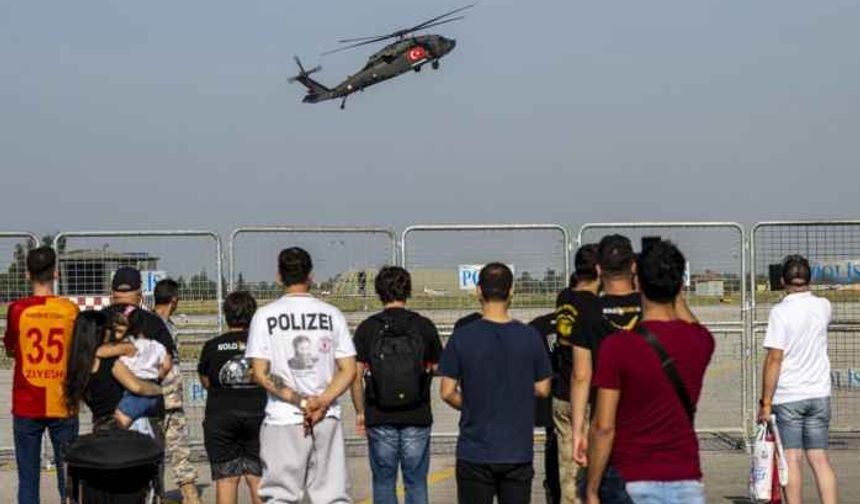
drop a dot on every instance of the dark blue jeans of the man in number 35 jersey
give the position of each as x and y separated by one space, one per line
28 452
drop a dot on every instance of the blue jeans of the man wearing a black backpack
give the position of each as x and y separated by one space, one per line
407 448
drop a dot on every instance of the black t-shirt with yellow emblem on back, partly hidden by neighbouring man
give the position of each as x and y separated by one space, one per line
577 315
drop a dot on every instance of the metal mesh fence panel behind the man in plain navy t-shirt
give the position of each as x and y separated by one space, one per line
444 260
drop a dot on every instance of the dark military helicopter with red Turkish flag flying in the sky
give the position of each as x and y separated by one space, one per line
405 54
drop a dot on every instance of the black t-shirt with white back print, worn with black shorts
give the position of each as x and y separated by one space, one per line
231 387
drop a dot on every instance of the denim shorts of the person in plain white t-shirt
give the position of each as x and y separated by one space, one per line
804 425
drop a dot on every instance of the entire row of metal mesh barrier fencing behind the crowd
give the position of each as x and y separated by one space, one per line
728 290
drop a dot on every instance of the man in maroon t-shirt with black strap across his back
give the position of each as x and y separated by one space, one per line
643 439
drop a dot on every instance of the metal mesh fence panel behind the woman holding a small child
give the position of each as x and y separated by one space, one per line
87 260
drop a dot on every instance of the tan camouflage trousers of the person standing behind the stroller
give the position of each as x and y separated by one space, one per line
176 448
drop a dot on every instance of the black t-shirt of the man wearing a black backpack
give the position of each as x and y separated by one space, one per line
364 336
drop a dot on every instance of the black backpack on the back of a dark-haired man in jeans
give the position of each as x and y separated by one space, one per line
397 379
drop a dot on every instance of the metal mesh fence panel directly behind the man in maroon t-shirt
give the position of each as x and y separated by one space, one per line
716 294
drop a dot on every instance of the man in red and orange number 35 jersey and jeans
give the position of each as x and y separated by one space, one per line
38 335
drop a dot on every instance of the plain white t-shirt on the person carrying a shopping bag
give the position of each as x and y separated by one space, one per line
798 327
